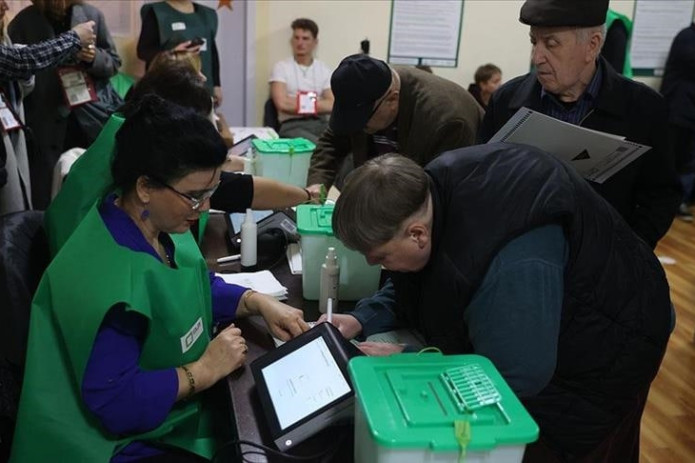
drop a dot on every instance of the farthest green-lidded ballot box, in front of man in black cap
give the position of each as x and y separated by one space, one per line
283 159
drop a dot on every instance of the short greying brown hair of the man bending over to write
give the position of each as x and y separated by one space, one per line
376 200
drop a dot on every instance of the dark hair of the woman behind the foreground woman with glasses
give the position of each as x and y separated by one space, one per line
175 81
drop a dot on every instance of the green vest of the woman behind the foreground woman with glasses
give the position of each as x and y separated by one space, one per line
88 181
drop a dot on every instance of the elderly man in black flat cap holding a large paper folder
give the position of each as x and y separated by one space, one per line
572 83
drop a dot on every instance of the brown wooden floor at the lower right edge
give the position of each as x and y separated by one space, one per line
668 424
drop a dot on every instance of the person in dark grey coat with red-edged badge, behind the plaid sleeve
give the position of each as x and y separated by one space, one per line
60 122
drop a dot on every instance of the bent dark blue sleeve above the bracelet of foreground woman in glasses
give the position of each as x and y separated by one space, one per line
125 398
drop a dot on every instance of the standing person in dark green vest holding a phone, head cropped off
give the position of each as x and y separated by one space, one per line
182 25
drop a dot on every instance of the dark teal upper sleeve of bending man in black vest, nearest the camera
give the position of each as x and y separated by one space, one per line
514 317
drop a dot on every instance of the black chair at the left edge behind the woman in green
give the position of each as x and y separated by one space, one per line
24 256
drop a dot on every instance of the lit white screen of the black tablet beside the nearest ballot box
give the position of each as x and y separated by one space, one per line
303 381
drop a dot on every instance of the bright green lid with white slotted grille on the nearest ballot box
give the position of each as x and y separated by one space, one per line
414 401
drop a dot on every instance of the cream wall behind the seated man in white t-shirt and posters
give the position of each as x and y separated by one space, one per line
491 33
